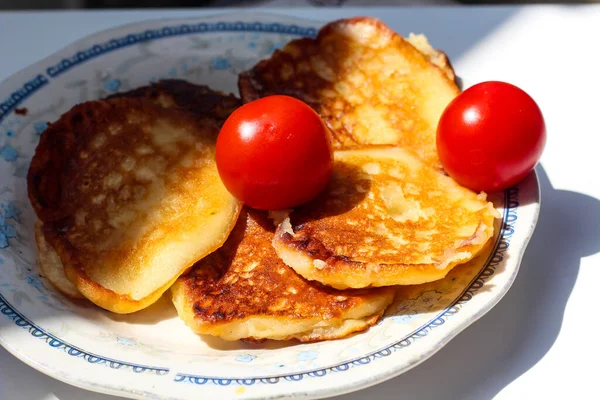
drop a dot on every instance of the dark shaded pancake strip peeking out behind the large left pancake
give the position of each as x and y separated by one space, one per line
198 99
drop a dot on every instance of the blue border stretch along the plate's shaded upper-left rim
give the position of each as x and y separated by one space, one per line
17 97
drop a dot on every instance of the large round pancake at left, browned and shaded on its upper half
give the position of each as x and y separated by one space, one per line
129 197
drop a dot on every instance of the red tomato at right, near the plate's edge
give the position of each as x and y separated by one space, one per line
491 136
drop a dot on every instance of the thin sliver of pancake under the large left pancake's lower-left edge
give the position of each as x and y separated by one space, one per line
52 267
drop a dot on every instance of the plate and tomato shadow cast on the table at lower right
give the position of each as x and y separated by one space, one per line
519 331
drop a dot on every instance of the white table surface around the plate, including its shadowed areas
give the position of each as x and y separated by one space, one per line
541 340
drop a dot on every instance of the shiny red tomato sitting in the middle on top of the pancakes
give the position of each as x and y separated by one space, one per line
274 153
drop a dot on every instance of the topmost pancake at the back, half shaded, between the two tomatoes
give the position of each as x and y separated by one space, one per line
370 85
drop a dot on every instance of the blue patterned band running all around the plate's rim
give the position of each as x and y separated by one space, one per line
40 80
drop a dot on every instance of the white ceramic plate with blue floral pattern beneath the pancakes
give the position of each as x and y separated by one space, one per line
152 354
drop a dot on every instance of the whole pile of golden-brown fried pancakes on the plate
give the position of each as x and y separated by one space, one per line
130 204
